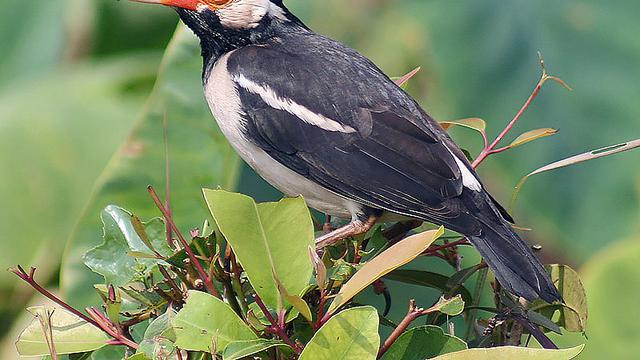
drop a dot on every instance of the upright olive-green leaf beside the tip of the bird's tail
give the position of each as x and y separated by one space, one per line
574 310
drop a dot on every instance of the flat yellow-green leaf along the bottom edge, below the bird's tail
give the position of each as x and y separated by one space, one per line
511 352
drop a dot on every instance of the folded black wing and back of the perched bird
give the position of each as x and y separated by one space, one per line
396 158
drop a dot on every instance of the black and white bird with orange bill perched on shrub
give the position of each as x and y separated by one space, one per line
316 118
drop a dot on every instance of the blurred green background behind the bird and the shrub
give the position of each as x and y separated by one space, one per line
82 125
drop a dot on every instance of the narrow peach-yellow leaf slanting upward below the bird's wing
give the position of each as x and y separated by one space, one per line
399 254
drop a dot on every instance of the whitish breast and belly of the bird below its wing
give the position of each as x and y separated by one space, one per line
224 101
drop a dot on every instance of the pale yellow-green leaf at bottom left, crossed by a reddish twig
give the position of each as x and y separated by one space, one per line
70 334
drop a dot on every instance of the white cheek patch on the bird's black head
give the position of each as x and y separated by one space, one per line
246 14
